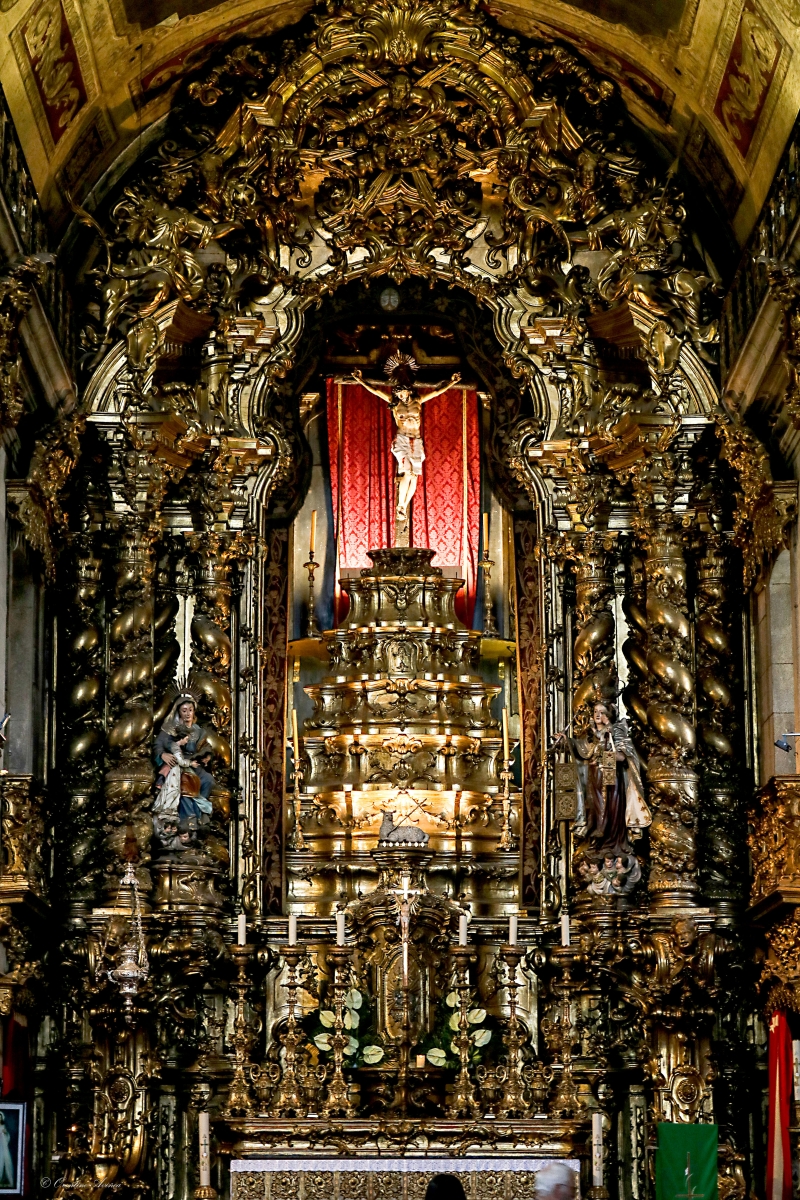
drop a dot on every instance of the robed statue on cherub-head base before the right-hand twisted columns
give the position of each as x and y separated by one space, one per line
612 811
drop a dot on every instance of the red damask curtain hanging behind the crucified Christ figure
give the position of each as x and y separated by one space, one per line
446 514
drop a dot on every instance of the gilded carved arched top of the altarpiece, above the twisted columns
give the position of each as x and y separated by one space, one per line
411 141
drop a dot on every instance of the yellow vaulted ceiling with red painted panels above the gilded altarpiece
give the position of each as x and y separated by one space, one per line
717 82
